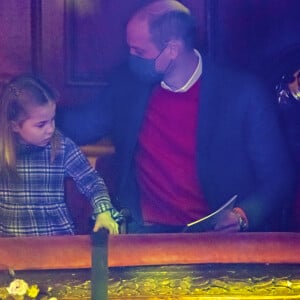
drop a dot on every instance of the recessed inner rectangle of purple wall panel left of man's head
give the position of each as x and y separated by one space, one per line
91 49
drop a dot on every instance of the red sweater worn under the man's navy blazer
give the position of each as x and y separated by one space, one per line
166 159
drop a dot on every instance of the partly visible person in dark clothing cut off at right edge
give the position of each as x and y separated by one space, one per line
287 95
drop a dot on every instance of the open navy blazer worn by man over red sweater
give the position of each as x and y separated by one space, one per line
240 148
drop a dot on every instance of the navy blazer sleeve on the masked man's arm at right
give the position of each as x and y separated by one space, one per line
269 157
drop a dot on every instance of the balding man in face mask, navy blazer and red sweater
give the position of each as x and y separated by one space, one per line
189 135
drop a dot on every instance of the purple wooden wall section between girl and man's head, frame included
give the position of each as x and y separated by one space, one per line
82 42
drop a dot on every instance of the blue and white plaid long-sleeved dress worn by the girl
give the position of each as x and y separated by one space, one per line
35 205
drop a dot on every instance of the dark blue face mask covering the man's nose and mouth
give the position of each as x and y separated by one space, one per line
145 68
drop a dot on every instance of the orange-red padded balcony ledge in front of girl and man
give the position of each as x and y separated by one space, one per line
73 252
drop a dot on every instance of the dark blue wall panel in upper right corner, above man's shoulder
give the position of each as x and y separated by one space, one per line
252 33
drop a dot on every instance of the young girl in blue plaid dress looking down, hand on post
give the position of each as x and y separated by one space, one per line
35 158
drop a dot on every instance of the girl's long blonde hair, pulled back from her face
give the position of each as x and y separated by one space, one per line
17 96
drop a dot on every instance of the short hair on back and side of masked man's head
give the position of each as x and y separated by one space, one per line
174 24
